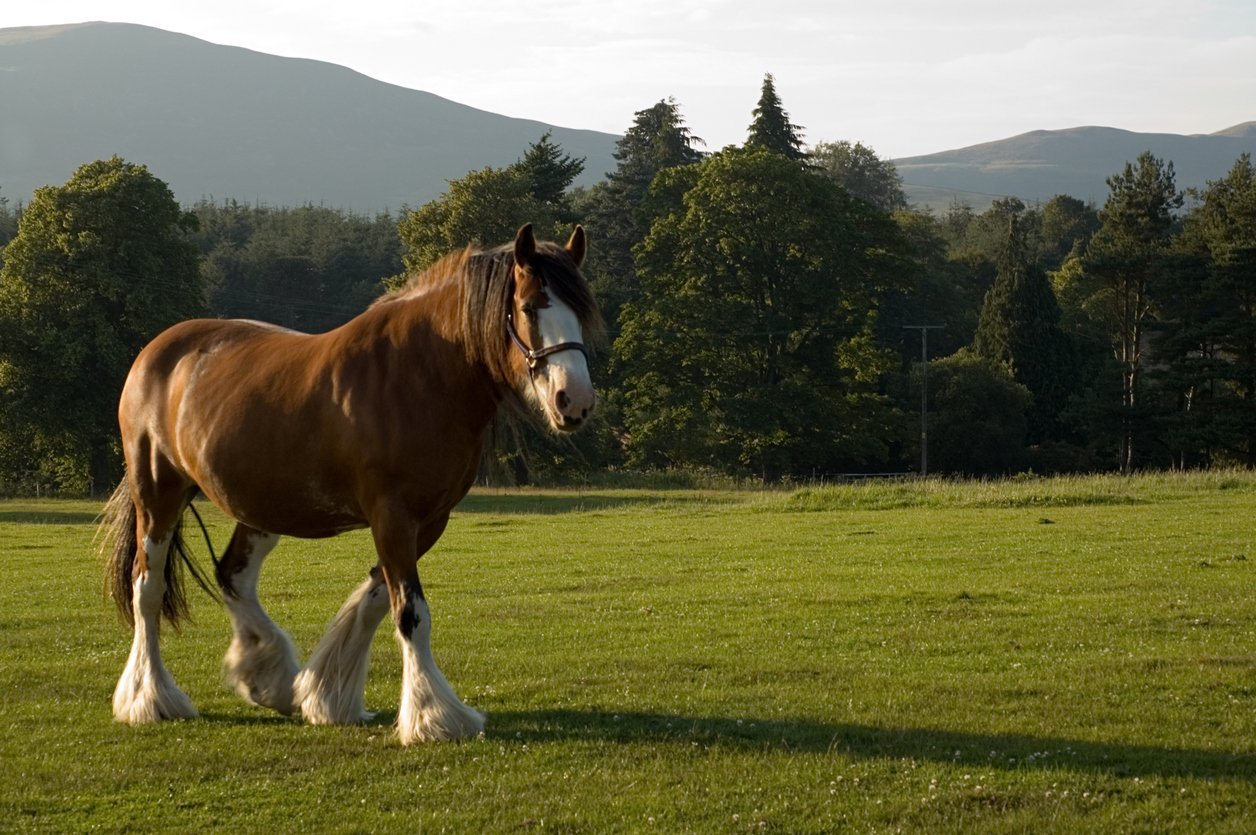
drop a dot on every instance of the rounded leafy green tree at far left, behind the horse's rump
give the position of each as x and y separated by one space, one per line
99 268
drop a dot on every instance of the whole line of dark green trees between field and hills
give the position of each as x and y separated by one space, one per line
764 304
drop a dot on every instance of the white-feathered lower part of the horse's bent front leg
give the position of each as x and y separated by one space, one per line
330 691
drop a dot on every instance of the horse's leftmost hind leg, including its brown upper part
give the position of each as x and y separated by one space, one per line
146 691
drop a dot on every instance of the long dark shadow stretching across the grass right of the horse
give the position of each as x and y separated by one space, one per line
1002 751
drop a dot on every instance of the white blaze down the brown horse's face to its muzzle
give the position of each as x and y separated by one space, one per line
563 381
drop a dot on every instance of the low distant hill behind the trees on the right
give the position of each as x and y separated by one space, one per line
1039 165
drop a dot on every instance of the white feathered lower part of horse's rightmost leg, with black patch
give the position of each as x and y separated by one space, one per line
430 709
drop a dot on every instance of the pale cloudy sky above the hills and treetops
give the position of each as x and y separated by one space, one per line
904 77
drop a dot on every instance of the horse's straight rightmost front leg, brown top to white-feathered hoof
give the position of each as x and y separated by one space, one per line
430 710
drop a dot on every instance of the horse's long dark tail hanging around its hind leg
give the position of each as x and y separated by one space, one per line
117 539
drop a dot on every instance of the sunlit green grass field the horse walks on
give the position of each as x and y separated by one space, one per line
1037 656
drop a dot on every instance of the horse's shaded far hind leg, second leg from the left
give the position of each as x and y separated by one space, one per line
262 661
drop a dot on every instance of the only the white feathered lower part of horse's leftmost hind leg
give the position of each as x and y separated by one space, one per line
146 691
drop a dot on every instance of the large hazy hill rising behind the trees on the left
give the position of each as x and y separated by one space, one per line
225 122
